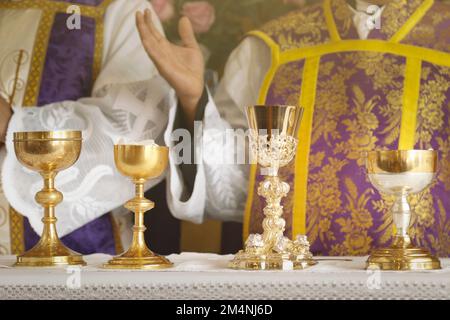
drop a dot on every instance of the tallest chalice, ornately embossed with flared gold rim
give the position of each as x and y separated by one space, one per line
273 142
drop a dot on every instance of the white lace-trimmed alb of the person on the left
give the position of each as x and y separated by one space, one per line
129 99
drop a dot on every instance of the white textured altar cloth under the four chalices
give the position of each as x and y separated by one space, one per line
205 276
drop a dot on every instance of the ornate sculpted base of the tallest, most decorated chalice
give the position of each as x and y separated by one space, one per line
272 261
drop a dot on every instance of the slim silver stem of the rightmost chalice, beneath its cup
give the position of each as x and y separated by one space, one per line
402 218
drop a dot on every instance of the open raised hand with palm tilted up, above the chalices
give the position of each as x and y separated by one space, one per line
181 65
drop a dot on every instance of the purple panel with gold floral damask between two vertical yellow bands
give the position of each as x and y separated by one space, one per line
356 111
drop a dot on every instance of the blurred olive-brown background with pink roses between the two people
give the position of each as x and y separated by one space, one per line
220 24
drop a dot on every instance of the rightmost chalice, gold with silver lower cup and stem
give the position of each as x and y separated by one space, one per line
402 173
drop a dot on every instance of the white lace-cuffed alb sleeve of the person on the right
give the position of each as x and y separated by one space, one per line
224 187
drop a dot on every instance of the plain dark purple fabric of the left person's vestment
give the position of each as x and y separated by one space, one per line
68 75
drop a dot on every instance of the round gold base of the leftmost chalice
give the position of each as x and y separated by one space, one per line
49 255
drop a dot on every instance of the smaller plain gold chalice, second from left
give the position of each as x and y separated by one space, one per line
140 163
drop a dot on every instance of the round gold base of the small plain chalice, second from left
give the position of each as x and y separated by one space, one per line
149 261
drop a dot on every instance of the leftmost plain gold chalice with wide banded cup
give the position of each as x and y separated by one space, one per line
48 153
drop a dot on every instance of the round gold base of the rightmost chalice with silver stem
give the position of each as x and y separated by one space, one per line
403 259
